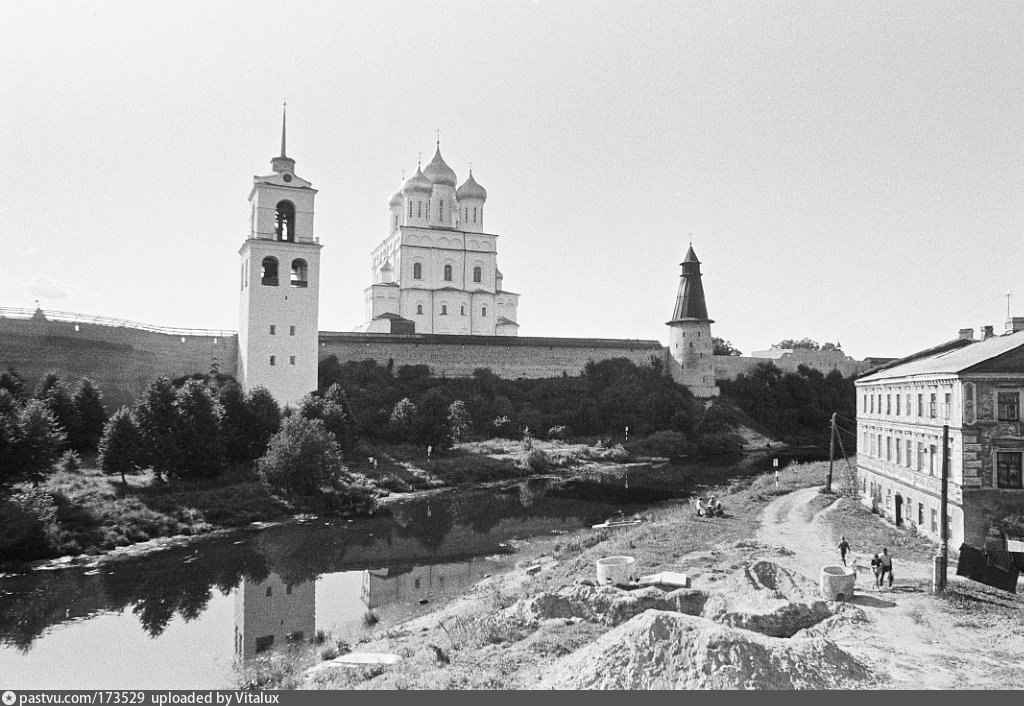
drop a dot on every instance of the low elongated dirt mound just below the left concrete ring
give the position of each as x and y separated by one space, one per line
594 604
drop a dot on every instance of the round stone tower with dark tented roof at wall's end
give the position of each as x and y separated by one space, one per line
693 362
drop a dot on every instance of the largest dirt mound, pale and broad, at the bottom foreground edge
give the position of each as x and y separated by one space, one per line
663 650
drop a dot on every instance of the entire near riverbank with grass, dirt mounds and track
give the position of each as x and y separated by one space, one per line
753 618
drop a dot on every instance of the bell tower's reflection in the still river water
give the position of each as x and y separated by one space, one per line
272 613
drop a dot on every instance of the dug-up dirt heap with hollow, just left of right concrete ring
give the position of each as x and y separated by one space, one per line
767 599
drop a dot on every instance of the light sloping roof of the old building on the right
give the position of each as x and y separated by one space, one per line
951 358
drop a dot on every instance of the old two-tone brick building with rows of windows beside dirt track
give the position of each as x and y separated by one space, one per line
974 388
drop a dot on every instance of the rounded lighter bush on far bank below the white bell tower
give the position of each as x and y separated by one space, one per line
304 458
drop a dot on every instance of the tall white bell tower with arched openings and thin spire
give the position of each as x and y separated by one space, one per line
280 288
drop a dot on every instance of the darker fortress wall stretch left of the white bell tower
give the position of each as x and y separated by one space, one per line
122 361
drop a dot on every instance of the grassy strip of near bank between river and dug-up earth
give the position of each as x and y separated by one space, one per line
463 646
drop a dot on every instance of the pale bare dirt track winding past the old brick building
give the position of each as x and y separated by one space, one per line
911 636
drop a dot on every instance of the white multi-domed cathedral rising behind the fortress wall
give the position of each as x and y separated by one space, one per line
437 270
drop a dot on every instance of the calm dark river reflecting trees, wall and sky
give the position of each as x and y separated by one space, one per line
183 618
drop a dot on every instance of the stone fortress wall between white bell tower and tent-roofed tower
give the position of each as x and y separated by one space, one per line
511 357
